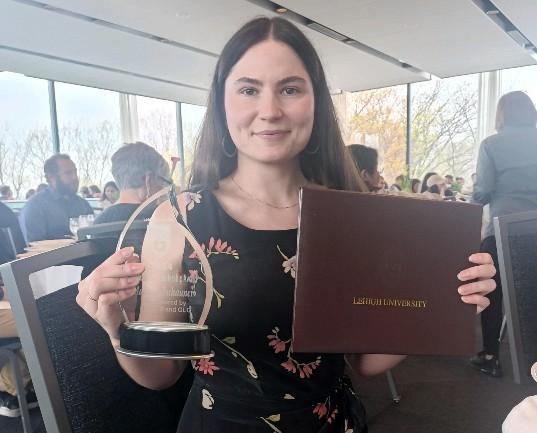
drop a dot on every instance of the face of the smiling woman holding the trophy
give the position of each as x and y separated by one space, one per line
269 103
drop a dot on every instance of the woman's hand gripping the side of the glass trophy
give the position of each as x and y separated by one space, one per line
113 280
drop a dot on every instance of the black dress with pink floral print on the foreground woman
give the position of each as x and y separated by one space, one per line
255 383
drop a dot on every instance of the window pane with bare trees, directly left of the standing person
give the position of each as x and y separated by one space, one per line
444 126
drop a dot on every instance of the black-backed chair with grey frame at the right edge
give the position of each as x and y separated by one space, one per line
516 241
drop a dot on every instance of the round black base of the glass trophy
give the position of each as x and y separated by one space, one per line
165 340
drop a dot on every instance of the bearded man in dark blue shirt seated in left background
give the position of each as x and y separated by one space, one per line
46 214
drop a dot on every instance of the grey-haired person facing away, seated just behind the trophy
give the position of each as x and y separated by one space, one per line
139 171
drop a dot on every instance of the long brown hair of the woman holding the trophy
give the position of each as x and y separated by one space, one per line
324 161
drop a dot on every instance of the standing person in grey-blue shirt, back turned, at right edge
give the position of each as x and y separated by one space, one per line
507 181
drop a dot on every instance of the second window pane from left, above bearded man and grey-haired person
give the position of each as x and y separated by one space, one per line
89 128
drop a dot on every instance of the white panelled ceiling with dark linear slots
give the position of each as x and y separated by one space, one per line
168 48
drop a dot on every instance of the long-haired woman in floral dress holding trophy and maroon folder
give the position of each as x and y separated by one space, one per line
270 128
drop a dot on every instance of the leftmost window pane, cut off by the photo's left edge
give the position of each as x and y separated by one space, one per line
25 138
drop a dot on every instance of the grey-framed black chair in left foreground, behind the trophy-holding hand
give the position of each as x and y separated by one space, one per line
79 384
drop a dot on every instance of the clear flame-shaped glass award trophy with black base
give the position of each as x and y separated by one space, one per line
166 318
